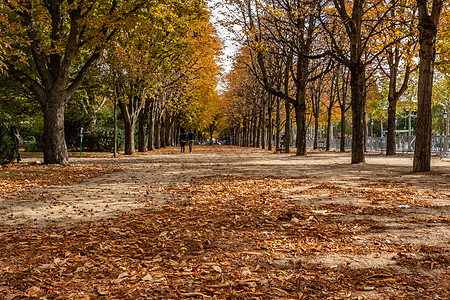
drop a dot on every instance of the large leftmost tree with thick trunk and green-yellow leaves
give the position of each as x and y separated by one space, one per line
64 39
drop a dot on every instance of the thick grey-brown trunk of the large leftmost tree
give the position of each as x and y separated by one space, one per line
55 148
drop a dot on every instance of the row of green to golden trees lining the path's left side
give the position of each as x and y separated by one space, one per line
154 60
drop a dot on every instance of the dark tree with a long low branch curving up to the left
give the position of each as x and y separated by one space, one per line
294 26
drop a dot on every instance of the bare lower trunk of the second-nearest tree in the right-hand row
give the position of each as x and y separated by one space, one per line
357 83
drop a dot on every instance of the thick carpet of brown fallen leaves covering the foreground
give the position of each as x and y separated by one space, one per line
225 237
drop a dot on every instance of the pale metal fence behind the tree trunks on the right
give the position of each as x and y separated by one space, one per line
404 144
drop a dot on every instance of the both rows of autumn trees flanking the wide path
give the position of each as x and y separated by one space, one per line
300 63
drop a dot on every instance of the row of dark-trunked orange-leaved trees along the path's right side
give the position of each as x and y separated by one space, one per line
301 51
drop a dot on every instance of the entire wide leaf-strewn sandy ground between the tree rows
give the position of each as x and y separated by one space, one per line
225 222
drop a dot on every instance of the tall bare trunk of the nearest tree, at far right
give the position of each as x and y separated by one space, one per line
427 40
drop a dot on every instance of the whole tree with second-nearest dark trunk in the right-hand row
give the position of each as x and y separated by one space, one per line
361 25
